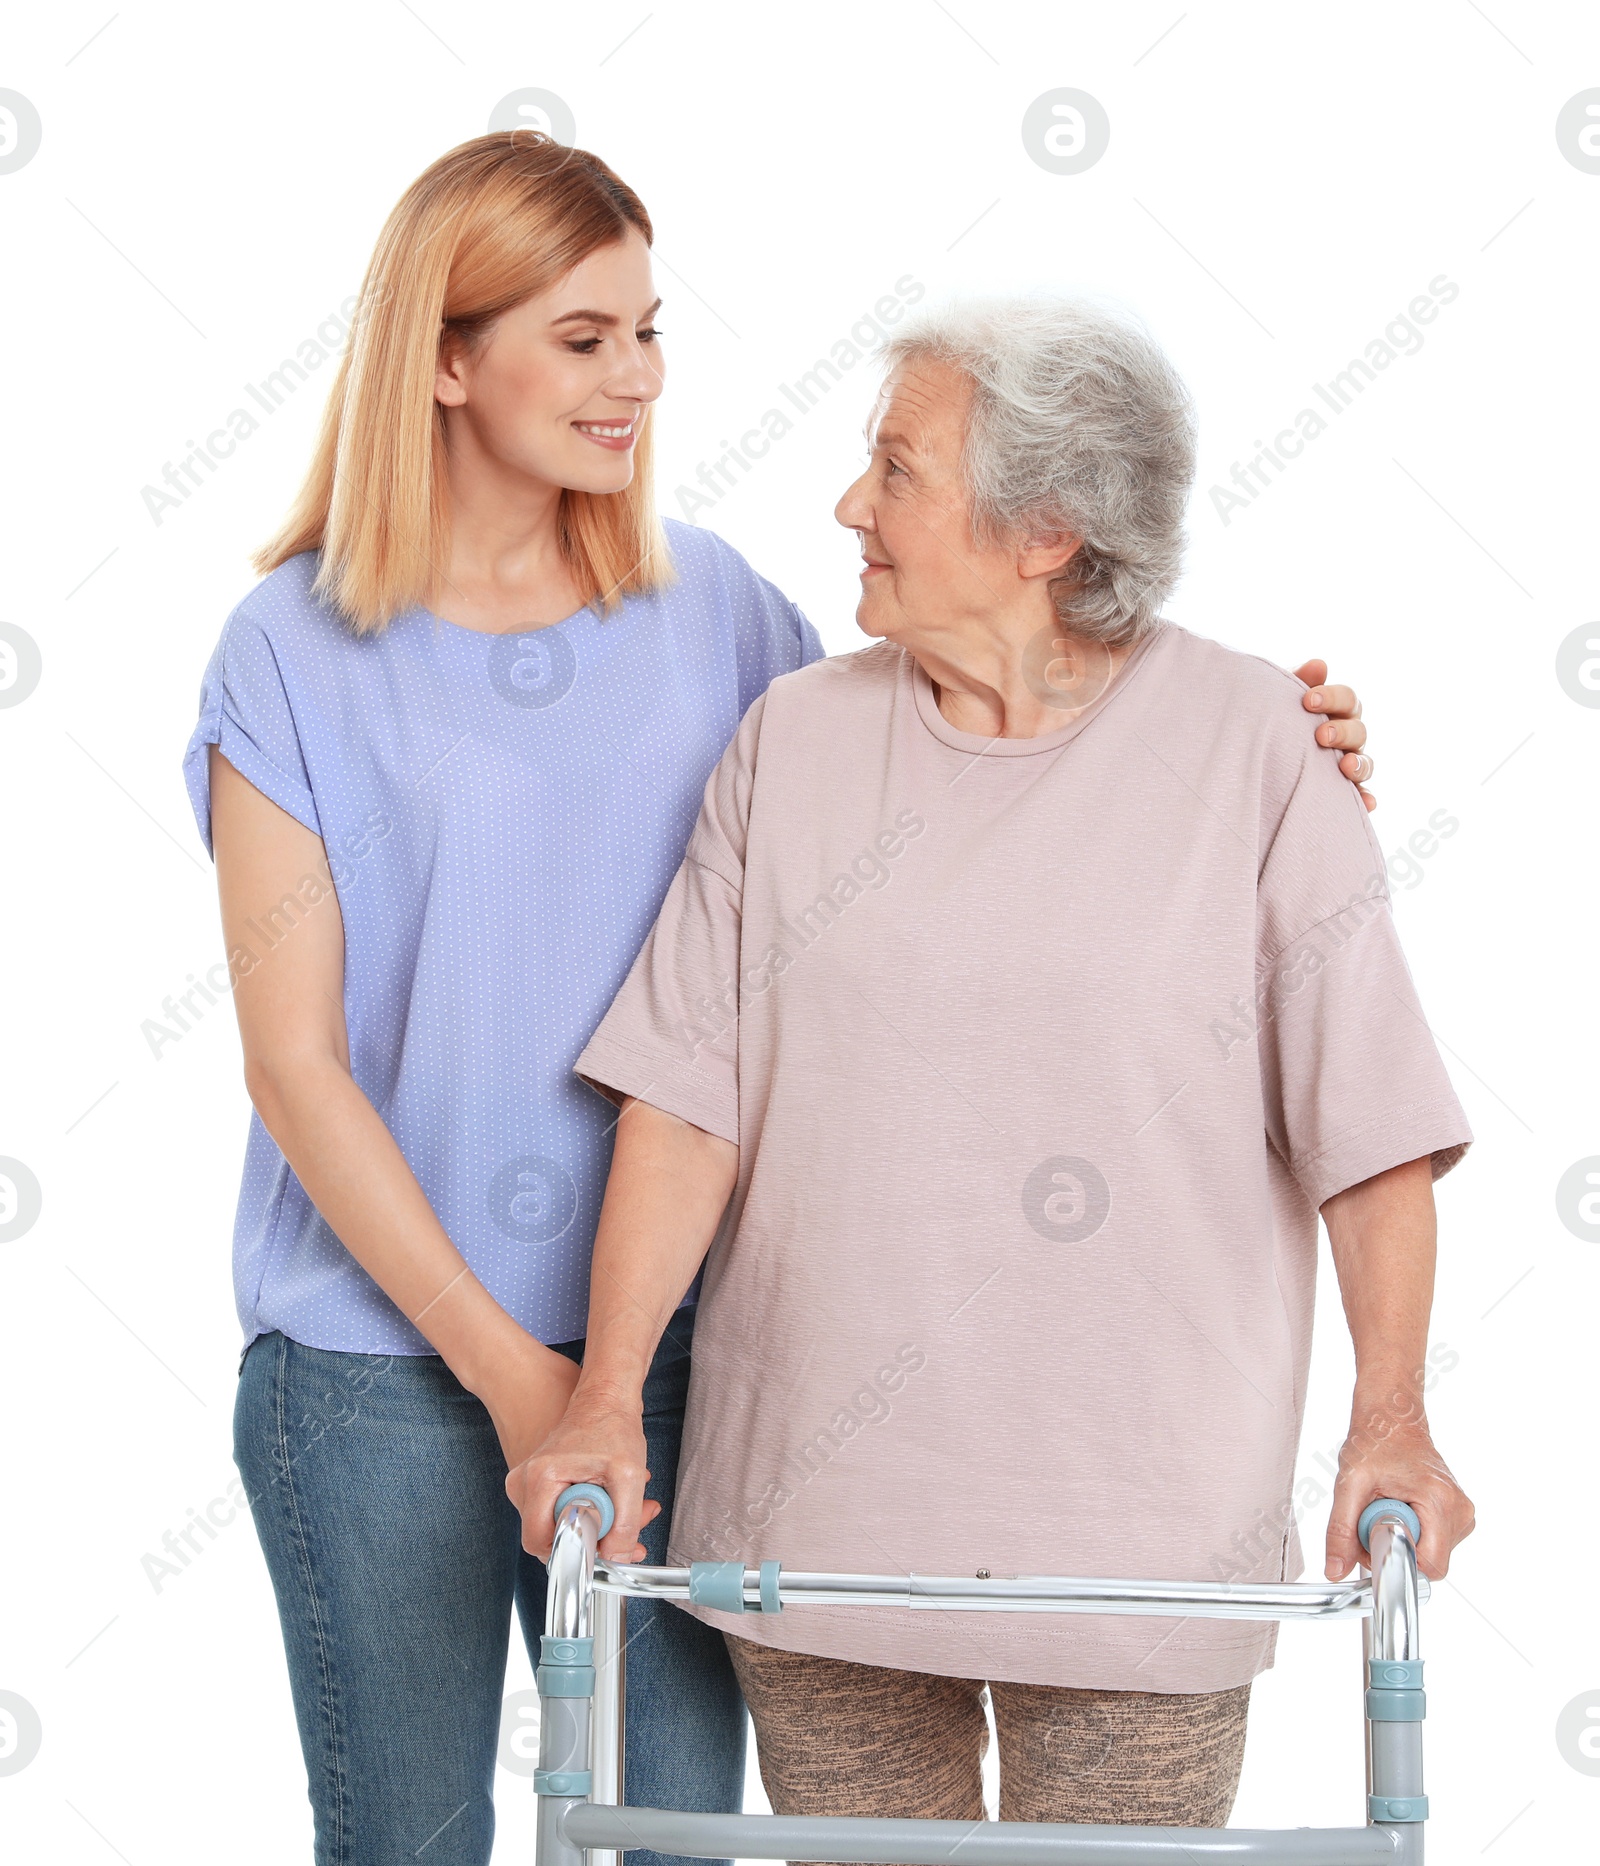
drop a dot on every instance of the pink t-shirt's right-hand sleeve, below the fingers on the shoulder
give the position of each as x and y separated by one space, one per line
1351 1072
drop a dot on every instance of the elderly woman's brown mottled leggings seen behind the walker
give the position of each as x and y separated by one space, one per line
841 1738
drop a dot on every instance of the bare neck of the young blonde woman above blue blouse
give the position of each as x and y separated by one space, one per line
505 568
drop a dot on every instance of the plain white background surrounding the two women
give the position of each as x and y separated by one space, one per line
1280 184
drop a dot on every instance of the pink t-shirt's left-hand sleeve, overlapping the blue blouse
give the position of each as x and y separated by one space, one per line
673 1033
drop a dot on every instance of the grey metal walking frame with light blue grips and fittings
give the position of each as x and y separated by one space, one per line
582 1725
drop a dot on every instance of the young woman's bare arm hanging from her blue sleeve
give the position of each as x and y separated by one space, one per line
290 1005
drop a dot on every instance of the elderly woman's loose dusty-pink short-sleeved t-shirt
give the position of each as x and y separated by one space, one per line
1041 1057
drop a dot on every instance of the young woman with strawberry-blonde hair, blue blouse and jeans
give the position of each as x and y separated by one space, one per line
449 757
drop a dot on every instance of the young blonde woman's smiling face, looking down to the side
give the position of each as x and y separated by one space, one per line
563 383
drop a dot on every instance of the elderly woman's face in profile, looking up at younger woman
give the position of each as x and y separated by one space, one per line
910 508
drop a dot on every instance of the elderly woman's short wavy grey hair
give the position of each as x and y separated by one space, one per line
1080 426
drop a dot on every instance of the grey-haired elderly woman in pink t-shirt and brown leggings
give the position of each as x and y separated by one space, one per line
1028 990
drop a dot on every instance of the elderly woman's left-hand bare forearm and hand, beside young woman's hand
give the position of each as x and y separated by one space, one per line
664 1203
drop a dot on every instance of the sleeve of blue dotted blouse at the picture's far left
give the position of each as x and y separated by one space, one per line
246 712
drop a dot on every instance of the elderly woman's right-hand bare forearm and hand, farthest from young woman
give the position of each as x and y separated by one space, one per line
1384 1242
